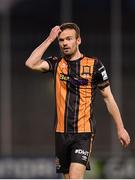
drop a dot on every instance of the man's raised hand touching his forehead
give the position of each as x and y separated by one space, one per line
54 33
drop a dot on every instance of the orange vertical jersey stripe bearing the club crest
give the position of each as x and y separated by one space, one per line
85 97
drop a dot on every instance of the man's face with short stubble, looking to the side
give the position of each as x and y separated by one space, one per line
68 42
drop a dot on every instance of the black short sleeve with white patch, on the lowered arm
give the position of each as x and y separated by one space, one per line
101 77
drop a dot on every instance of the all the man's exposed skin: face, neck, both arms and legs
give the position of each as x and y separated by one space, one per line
69 46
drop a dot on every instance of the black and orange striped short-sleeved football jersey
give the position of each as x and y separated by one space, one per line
75 83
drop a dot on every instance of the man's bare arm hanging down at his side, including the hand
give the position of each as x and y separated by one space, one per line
115 113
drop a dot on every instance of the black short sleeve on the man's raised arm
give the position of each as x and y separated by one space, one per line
52 61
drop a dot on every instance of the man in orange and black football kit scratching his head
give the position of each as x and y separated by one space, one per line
76 79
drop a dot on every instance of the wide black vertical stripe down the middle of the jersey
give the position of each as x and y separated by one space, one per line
72 97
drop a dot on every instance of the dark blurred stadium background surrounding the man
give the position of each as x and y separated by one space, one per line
27 97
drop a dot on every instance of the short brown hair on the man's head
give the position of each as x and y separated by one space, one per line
70 25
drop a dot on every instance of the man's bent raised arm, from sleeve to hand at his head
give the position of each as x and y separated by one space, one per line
35 61
